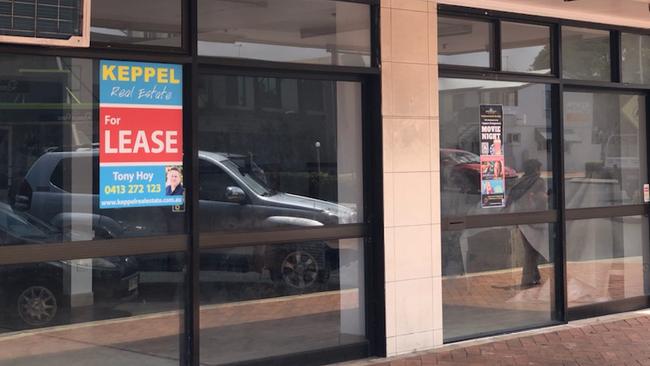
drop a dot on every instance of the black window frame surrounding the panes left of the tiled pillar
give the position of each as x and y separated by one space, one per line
192 242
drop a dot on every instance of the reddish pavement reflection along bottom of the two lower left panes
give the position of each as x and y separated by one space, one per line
270 327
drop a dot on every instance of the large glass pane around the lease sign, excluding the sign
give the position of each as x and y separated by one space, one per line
49 137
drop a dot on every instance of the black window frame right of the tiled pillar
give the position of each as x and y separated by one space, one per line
559 215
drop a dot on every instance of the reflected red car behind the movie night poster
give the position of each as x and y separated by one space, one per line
461 170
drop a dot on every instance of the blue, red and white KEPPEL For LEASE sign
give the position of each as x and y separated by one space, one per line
141 134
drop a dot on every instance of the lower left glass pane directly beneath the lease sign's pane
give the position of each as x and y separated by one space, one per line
120 309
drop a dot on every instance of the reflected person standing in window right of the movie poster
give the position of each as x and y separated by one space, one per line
529 194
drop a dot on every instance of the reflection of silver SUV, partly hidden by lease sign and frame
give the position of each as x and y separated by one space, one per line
233 195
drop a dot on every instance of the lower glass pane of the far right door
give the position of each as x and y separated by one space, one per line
606 259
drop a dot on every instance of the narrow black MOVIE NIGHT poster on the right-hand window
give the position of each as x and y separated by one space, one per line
493 182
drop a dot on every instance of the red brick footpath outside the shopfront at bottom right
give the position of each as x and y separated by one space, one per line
620 339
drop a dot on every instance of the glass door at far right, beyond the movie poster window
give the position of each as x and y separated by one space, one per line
605 170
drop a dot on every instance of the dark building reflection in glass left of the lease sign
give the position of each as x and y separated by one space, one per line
32 115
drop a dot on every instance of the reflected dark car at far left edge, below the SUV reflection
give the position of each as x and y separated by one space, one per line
33 294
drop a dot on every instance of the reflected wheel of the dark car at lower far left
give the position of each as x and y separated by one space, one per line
37 305
